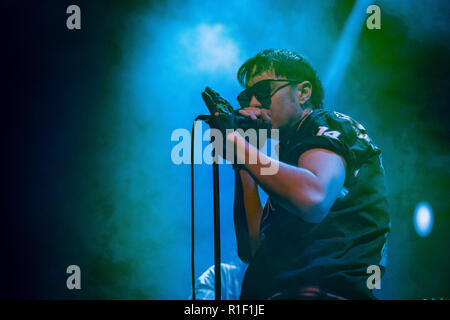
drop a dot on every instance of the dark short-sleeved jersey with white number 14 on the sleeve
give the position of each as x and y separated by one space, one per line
335 253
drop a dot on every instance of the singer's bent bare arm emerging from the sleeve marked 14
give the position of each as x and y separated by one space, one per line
308 190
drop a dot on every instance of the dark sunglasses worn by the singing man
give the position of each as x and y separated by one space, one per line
262 92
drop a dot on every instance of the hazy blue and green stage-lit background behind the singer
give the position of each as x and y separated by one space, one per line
103 191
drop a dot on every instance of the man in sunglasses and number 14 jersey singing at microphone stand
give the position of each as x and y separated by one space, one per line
326 219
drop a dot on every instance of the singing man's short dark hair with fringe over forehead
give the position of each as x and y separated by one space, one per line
287 64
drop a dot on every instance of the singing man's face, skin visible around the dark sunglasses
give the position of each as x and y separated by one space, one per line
284 107
